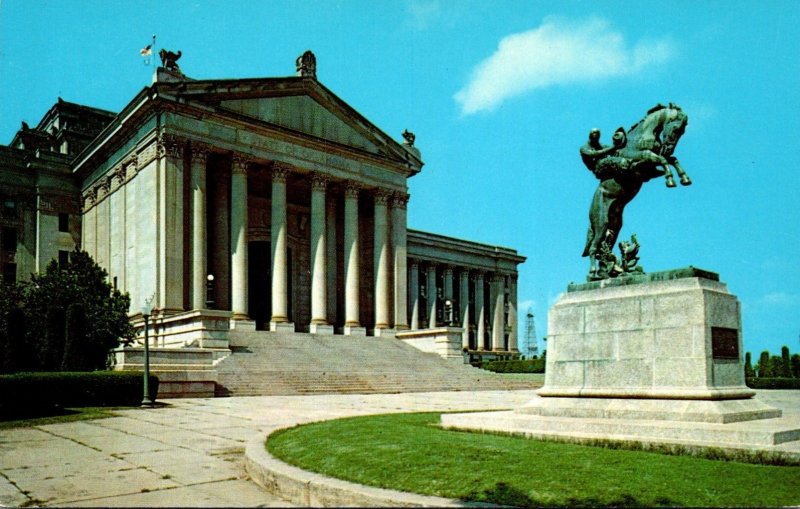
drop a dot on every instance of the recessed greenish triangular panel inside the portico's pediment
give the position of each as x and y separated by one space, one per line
303 114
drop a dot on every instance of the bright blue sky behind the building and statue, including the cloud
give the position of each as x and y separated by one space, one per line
500 95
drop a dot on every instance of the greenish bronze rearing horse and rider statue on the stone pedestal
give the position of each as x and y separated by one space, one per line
646 151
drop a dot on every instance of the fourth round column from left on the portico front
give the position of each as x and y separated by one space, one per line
319 282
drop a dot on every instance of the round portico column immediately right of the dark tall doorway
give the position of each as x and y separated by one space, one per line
280 272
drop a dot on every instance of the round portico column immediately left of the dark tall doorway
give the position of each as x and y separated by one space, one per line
239 268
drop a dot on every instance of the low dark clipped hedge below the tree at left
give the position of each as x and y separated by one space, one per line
23 394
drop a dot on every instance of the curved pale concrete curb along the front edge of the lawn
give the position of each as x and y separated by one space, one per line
309 489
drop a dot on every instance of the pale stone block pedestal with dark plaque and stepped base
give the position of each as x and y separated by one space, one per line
648 358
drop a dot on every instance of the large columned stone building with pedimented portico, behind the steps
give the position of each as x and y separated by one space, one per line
268 204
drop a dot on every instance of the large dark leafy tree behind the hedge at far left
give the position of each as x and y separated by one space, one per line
98 322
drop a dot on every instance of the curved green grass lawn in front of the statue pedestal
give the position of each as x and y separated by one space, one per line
409 452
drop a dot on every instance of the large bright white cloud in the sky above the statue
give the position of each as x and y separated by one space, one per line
556 53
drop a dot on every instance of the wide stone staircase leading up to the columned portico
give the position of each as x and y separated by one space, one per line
270 363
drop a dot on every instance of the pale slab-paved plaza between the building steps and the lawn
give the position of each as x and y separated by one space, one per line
190 452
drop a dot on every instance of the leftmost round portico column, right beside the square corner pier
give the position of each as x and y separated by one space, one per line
199 226
